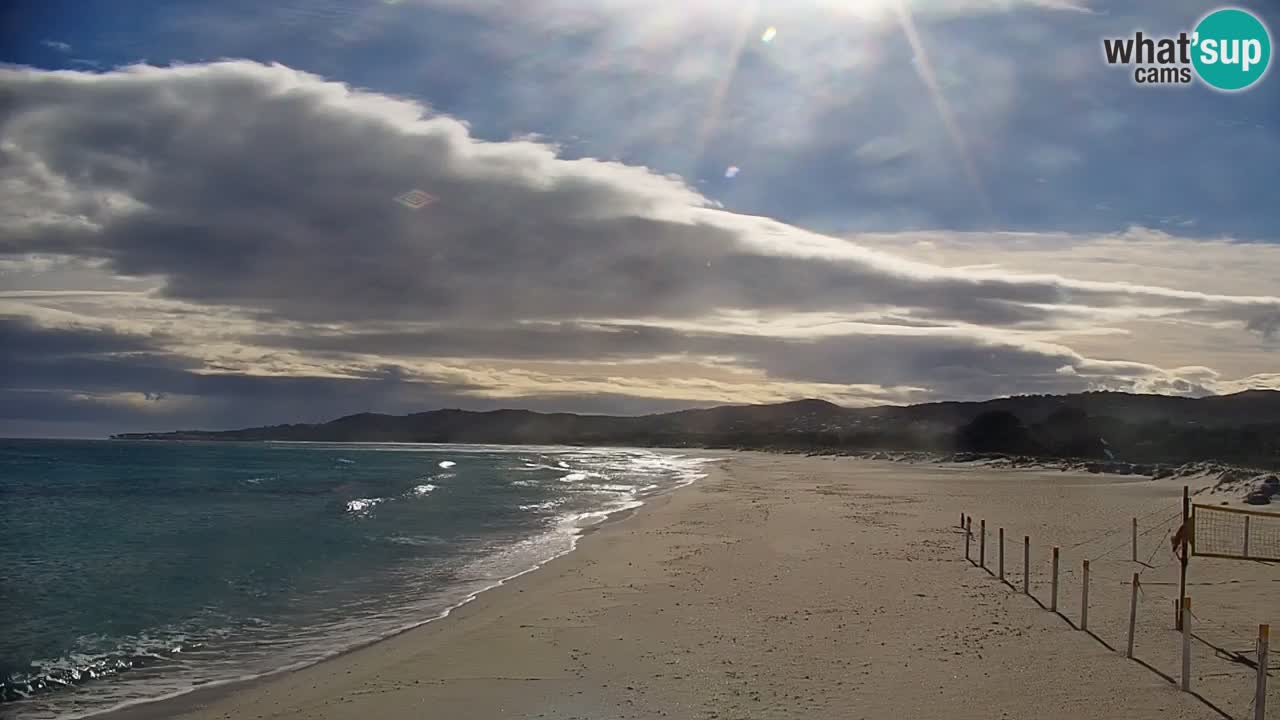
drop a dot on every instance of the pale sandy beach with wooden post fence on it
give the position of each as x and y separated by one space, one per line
817 587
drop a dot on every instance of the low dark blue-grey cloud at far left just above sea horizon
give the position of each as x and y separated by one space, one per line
117 382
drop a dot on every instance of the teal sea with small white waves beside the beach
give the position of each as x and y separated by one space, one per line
140 571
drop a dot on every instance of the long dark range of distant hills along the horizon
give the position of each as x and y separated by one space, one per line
1242 429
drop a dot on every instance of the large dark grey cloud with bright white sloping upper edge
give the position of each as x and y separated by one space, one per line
271 190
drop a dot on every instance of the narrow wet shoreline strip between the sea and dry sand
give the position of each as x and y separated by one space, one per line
186 701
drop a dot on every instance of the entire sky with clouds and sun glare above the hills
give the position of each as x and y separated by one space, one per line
218 215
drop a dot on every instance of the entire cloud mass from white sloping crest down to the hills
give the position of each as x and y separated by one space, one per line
196 241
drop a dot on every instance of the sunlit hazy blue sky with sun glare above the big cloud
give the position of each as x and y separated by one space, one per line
691 90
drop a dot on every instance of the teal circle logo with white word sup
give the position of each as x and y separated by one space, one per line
1231 49
